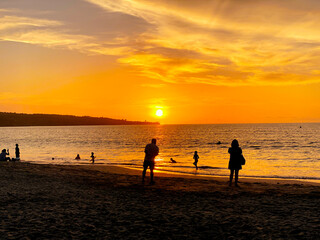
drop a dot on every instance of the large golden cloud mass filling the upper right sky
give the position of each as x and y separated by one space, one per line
237 43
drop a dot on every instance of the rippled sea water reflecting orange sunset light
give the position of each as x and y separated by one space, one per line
271 150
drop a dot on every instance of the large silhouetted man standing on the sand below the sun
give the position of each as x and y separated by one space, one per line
151 151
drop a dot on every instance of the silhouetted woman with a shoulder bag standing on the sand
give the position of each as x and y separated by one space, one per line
235 161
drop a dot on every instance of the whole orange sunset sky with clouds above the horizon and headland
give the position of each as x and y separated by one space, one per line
206 61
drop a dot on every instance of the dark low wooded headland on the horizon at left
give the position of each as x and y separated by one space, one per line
23 119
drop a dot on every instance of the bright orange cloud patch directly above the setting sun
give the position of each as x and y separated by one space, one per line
184 70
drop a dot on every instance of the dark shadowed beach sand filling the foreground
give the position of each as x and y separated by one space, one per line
107 202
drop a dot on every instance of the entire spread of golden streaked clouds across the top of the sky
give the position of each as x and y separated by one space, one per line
222 42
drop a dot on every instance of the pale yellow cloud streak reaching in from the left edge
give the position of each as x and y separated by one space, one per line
45 33
